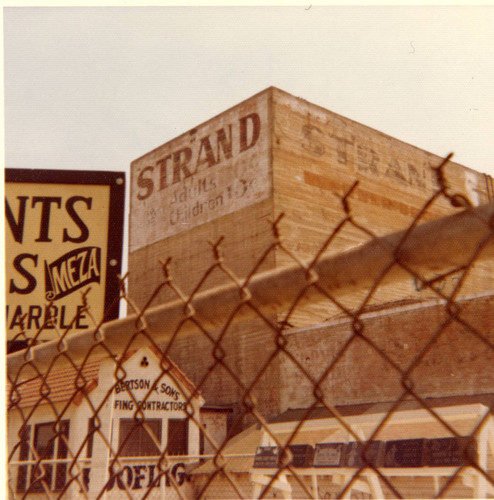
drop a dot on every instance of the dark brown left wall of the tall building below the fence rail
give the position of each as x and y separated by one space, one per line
227 374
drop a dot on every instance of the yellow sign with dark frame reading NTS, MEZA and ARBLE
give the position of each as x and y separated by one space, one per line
63 238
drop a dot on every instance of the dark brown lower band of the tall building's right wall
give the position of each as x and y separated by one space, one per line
458 363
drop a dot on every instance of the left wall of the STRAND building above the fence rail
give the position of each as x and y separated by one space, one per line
211 182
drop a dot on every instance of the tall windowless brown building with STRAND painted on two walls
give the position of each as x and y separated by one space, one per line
277 153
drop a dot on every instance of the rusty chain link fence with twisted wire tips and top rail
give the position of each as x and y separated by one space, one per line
56 454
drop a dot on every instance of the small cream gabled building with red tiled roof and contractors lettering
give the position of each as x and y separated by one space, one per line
121 428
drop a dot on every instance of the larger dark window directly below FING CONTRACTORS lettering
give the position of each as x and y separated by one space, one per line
139 439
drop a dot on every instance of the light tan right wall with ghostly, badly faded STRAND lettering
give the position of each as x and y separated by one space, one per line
318 155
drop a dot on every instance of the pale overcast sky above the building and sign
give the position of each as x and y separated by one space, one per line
97 87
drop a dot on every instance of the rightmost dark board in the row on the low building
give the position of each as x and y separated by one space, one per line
447 452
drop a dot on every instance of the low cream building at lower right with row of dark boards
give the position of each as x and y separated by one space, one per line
419 451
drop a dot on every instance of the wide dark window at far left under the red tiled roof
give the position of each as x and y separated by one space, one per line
48 443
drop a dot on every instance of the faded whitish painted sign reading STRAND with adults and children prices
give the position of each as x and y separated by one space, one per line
213 170
